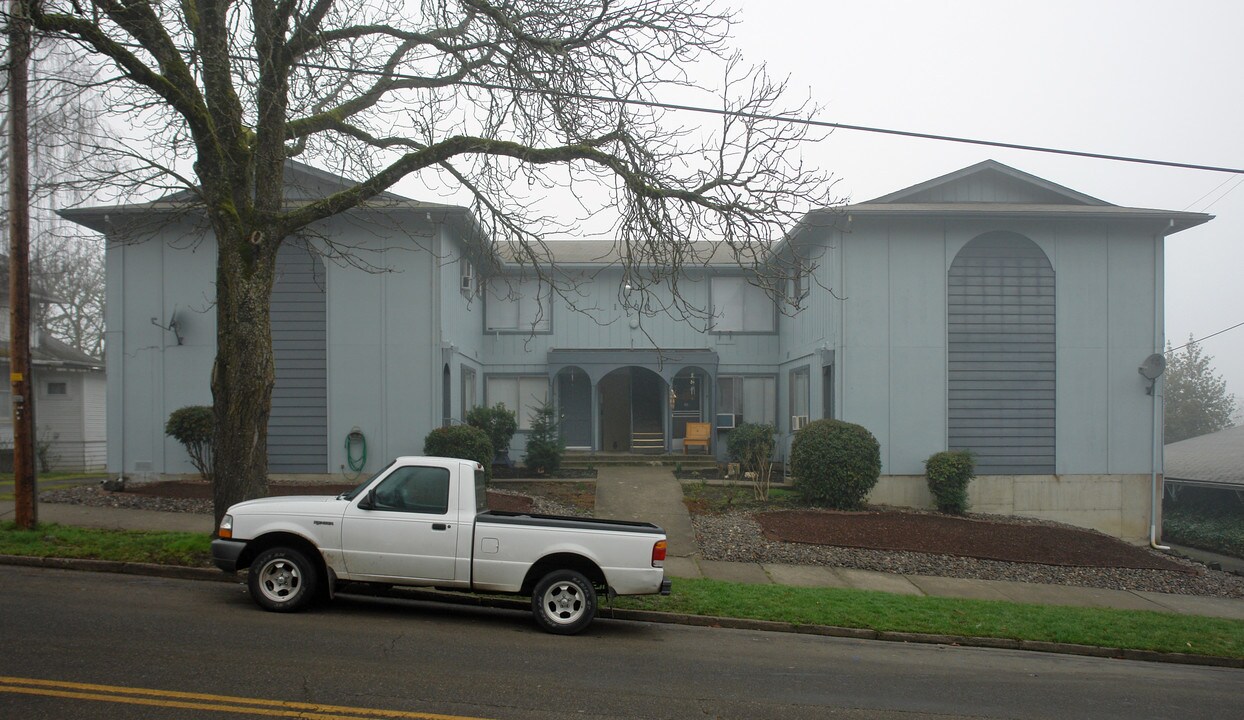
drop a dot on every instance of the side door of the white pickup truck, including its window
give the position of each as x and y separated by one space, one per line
409 532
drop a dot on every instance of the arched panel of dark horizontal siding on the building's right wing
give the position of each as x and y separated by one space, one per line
1002 355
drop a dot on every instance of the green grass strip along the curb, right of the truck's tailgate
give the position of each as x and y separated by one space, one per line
886 612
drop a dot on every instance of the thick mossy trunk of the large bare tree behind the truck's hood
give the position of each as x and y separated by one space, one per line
244 371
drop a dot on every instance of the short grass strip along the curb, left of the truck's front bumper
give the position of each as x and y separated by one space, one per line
48 540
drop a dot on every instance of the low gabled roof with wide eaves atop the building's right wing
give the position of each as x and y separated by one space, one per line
991 190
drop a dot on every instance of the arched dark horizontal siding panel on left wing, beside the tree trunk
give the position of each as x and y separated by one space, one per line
298 428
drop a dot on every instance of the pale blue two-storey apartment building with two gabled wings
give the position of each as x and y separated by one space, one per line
987 309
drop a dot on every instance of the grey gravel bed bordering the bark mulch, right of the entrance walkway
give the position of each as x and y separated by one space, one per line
737 538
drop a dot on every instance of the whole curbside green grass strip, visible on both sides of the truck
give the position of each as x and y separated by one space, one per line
876 611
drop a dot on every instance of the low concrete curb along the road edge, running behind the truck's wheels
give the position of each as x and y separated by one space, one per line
212 575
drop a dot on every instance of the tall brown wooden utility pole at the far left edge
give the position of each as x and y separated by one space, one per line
27 510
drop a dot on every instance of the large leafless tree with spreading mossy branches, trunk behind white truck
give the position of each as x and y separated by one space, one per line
511 100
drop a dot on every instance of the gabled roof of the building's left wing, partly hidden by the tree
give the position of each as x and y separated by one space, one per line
304 185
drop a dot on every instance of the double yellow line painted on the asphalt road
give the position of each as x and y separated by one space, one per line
205 702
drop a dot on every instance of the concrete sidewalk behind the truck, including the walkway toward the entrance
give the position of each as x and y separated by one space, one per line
654 494
